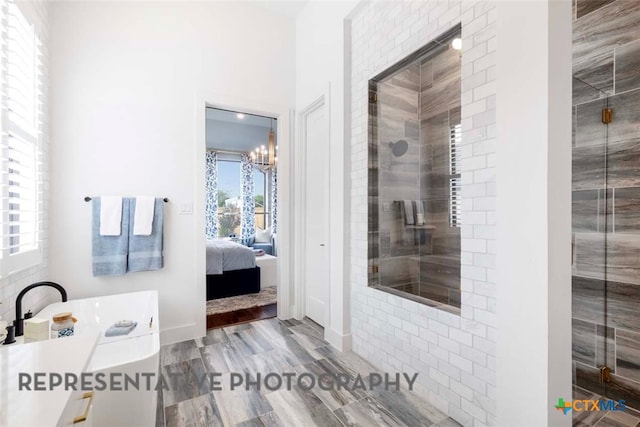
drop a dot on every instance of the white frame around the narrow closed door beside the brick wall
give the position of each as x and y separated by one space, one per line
300 196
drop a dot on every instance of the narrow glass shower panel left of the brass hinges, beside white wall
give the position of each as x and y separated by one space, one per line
591 223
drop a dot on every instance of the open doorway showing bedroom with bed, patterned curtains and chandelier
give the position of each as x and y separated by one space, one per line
241 205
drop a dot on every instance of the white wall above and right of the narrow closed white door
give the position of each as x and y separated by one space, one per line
320 69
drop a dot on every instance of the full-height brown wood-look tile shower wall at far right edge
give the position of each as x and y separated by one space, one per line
606 196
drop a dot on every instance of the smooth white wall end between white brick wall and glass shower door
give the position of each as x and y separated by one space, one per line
534 212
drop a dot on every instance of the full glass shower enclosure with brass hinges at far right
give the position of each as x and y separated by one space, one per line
606 262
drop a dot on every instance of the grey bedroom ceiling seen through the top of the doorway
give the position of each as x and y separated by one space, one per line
225 131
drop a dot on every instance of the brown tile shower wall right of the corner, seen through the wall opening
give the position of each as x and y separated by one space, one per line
439 113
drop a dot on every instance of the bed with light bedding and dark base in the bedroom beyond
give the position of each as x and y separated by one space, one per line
231 269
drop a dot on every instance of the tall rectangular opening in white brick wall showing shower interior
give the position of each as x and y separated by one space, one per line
414 175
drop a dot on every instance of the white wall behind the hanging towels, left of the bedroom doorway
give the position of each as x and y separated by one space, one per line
125 81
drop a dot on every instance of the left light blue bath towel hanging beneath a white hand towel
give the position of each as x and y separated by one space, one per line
109 252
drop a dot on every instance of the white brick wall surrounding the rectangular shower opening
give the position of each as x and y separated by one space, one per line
453 354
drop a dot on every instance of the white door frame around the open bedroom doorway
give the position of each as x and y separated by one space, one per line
286 244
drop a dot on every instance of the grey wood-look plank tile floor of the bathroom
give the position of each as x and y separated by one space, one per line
273 345
